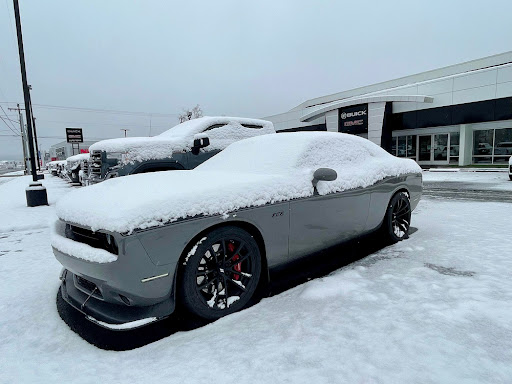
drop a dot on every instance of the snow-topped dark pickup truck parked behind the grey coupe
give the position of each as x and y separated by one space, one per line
184 146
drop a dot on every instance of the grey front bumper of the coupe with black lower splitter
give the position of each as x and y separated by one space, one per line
129 289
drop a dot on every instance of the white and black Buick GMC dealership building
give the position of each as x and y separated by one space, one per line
461 114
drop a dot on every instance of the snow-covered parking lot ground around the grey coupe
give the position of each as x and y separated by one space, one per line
436 308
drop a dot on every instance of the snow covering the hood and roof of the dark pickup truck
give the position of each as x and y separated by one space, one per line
181 137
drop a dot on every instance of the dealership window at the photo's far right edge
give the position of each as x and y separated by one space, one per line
492 146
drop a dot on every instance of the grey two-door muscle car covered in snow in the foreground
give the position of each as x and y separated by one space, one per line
208 237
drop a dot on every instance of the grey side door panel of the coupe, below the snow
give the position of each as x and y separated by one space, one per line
319 222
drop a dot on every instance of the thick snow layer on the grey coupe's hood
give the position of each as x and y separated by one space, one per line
120 205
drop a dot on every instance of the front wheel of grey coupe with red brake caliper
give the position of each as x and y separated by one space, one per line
220 273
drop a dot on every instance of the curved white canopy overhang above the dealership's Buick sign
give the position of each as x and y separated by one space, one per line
312 113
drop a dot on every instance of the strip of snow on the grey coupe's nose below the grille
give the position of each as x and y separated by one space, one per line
80 250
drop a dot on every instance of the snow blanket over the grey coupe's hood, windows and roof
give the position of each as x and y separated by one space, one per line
251 172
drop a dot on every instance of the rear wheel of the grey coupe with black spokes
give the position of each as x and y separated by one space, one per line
398 218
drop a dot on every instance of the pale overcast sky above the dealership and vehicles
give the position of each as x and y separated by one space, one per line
230 57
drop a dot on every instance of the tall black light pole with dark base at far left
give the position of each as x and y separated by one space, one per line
36 193
